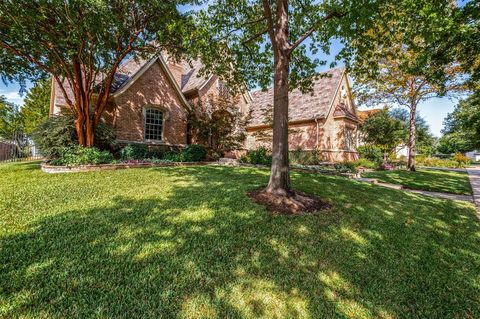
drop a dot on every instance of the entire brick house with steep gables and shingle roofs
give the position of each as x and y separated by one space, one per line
150 100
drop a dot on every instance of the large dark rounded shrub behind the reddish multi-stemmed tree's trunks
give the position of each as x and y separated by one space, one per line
58 132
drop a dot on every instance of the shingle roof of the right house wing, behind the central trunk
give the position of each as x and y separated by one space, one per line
301 106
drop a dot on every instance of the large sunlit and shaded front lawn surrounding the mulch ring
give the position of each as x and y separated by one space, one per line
187 243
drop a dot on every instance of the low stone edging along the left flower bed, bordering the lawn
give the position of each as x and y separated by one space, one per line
52 169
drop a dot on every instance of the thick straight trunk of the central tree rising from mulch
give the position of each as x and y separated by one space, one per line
279 175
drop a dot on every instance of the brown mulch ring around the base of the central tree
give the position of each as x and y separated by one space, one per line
297 203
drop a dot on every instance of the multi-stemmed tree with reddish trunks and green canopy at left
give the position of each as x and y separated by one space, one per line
81 43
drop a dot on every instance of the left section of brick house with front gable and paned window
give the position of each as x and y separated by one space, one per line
150 100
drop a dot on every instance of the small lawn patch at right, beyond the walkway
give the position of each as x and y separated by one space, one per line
427 179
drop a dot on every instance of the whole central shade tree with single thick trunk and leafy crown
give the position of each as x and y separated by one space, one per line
277 43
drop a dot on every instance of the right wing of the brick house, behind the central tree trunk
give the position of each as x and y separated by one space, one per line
325 120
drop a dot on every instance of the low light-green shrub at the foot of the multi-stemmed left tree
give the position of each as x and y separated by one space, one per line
79 155
